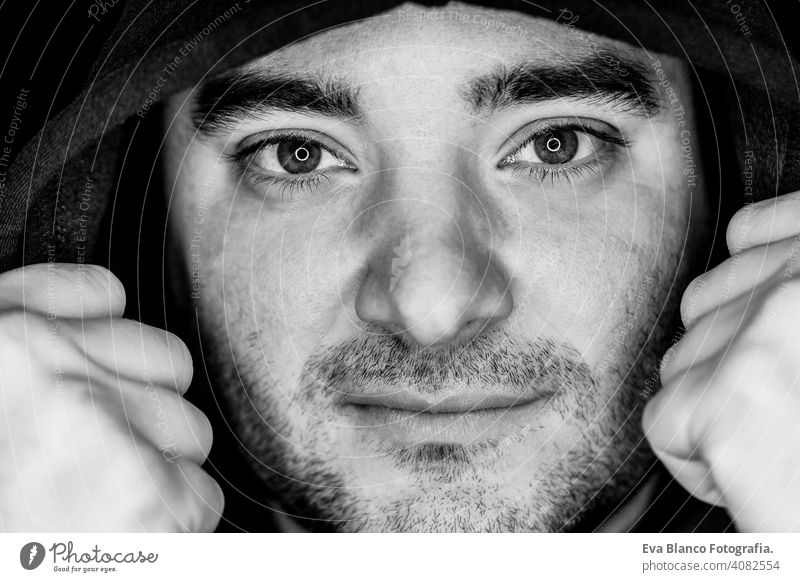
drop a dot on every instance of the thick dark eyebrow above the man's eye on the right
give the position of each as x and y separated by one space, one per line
592 80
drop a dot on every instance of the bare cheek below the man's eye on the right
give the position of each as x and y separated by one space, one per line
598 256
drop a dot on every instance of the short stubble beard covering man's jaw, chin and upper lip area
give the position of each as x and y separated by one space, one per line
449 488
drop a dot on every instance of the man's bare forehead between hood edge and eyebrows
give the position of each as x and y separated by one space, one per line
441 45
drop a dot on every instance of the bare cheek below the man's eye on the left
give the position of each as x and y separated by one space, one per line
268 281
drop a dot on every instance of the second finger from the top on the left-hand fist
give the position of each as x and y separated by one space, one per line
128 349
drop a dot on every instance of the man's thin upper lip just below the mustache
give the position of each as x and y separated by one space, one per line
437 403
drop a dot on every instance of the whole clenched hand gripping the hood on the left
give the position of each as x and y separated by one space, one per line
94 433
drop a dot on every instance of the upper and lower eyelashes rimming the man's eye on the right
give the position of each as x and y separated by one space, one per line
569 171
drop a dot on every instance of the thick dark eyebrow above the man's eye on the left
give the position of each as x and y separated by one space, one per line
223 102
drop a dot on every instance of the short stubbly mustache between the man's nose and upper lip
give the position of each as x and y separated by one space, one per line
491 359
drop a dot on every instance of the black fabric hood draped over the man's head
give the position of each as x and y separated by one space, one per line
748 85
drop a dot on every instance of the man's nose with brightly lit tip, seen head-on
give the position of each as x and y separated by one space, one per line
433 280
